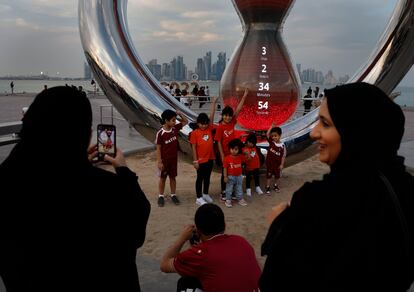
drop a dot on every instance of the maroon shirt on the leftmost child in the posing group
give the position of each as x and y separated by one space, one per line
168 141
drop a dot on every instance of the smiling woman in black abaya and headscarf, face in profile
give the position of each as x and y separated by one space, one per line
354 229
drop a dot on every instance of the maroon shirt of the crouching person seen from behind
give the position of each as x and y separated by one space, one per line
223 263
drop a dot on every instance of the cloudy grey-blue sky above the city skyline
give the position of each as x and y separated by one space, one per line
43 35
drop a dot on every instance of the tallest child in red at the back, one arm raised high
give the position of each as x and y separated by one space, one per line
225 133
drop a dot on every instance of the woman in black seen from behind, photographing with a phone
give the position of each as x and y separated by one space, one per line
65 224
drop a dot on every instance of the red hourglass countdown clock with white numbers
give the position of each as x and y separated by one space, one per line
262 64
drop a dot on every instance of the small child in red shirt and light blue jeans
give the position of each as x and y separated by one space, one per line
232 169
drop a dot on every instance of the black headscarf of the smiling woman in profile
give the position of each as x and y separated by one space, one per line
370 124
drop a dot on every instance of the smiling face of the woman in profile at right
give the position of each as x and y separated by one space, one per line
326 135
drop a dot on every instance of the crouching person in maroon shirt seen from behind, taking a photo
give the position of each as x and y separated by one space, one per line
220 262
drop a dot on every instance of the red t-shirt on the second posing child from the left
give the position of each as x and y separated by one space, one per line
203 139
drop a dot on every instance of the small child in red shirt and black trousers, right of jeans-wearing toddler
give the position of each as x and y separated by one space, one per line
251 151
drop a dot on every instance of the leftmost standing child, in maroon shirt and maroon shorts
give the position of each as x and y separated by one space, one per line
167 152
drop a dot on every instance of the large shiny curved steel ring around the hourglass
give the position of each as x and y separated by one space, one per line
139 97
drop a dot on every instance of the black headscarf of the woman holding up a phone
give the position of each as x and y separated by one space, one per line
56 127
